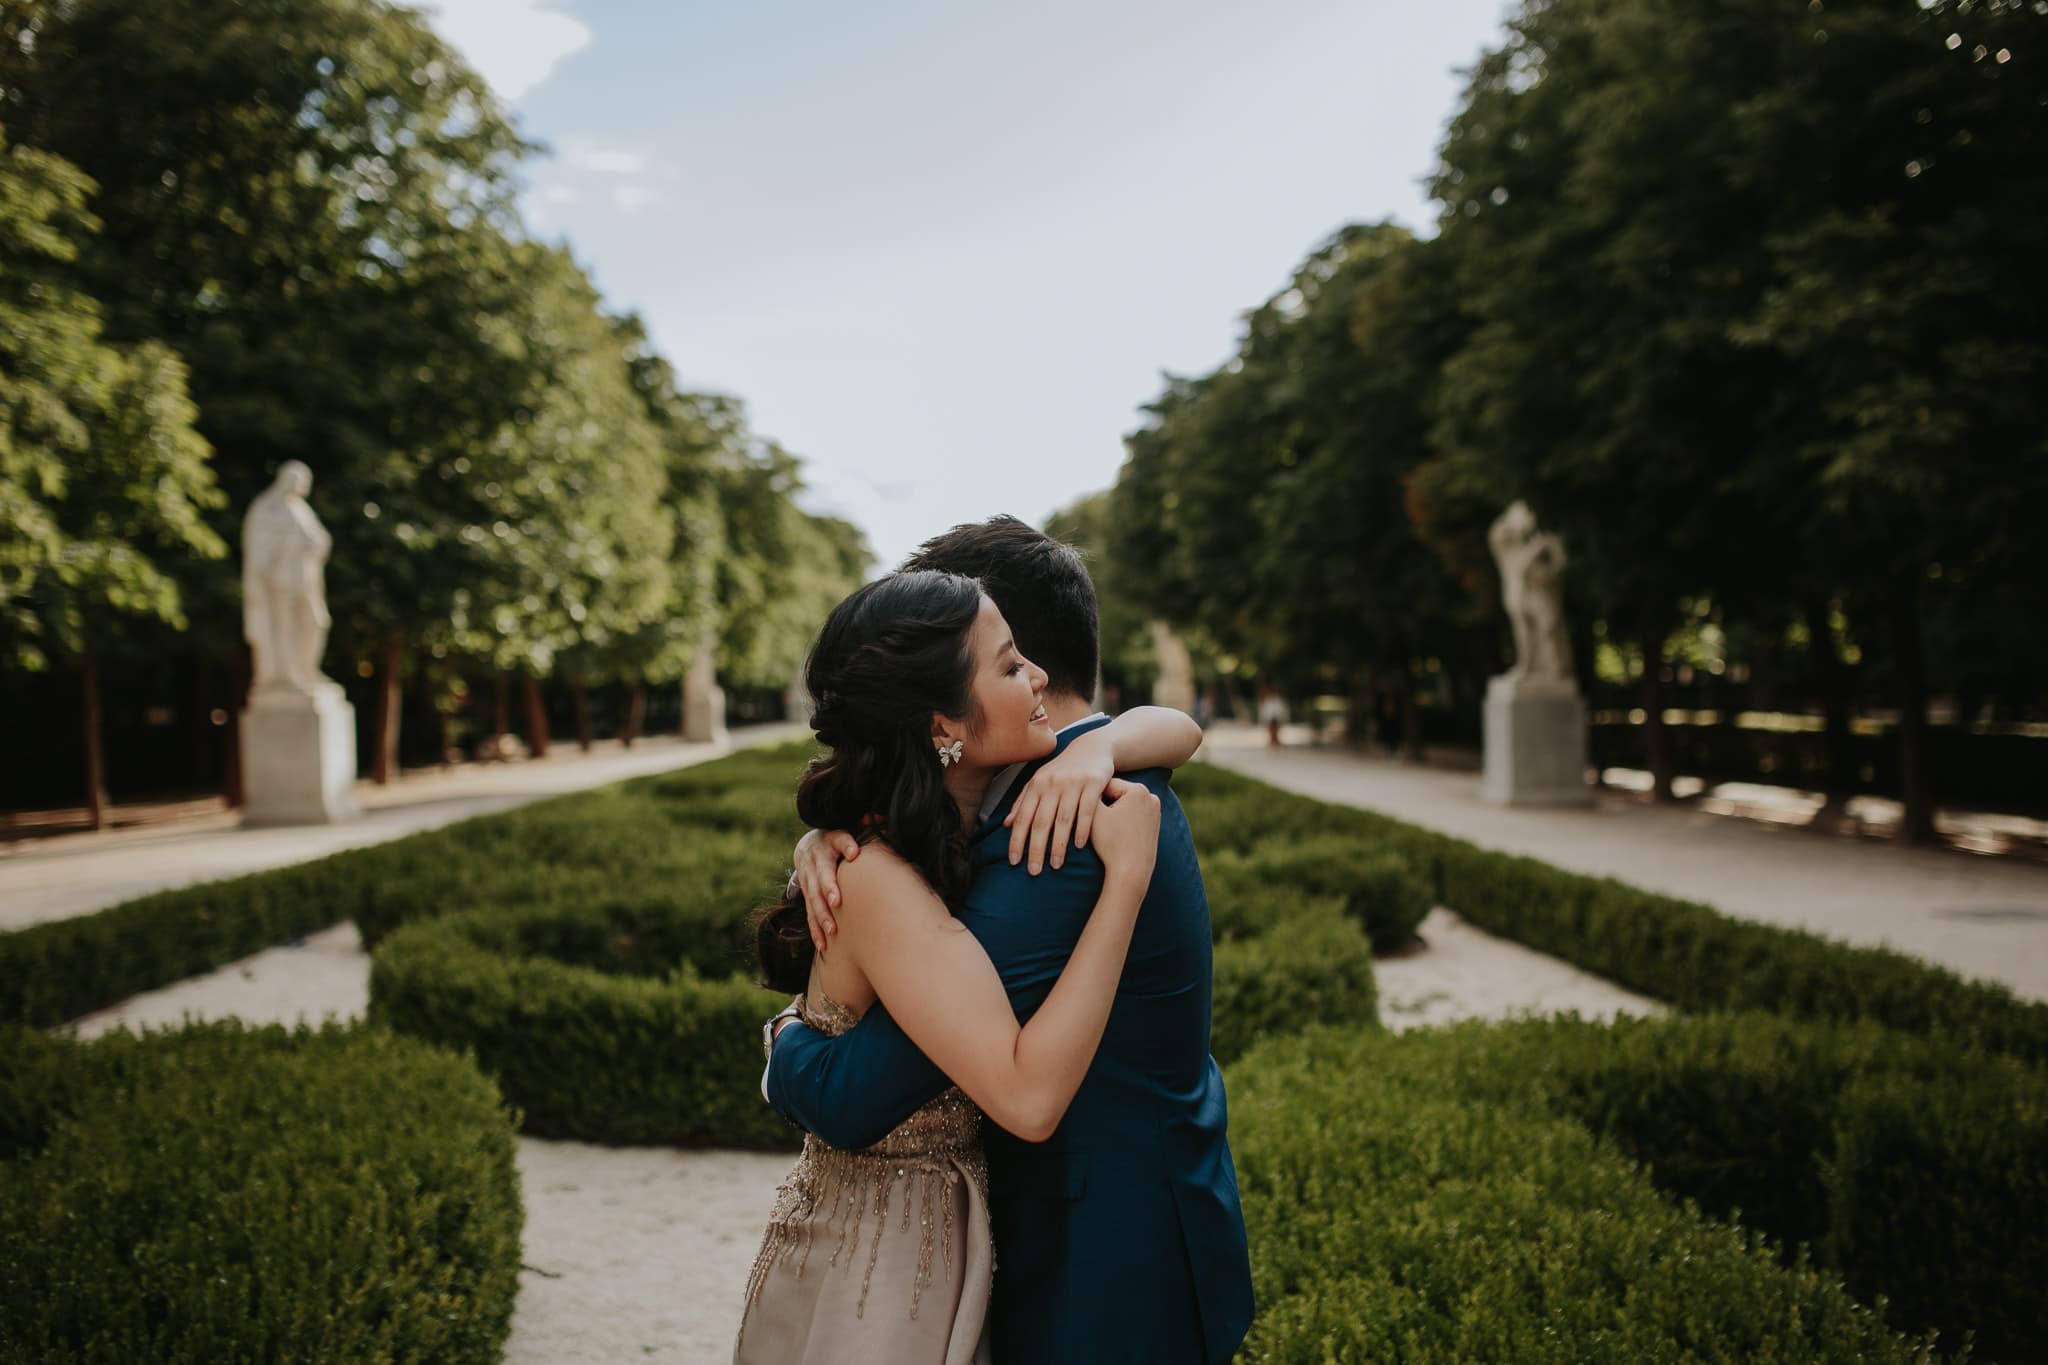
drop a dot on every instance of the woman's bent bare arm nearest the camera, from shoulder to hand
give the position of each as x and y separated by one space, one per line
943 992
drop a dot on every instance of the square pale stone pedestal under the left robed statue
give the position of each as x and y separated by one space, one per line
298 758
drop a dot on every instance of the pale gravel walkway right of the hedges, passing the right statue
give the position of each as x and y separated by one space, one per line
1971 914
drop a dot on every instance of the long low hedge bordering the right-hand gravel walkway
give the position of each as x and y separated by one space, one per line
1674 951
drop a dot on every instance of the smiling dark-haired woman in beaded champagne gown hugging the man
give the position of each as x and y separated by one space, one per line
923 697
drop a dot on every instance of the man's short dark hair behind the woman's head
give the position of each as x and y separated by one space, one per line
1039 586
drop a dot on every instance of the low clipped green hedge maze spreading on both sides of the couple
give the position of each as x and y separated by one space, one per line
1830 1155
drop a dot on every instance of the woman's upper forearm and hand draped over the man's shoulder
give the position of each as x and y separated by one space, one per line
1060 797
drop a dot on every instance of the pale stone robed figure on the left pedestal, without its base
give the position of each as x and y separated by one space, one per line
284 595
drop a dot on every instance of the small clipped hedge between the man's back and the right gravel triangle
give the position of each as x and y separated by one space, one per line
1314 967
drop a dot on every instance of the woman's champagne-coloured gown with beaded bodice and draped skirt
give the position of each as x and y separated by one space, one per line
884 1256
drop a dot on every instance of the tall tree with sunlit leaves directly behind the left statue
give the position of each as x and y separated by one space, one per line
310 202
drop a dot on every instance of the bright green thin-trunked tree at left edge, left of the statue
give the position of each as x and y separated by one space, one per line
103 480
